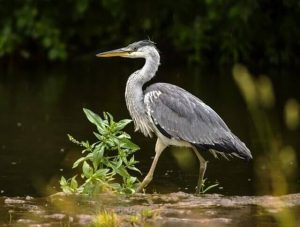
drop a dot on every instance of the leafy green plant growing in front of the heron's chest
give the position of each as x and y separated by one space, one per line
105 161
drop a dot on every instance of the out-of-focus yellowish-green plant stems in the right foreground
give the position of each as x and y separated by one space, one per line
276 163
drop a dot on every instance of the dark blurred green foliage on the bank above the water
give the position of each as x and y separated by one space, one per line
224 31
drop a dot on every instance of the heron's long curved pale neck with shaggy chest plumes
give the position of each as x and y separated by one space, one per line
134 91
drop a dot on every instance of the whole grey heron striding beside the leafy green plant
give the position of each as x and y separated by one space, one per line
174 115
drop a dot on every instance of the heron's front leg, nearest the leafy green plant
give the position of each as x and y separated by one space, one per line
159 147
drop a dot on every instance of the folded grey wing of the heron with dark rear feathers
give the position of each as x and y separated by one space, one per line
185 117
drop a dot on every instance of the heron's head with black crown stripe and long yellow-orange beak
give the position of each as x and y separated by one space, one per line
140 49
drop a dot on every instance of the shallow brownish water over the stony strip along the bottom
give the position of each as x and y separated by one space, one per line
175 209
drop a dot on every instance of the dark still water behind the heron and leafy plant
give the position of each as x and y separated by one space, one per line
40 105
